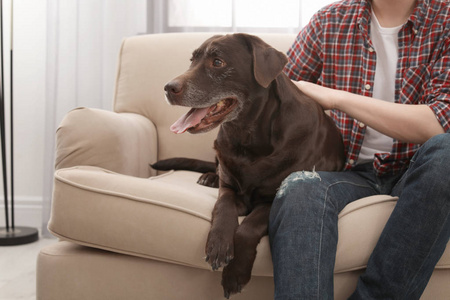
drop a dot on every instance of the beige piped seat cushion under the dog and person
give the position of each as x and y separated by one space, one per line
167 218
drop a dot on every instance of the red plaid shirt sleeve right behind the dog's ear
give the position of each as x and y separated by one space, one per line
305 58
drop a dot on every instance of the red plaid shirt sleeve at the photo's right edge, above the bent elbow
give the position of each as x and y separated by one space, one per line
438 94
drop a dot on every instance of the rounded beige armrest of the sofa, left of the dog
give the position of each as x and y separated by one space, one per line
125 143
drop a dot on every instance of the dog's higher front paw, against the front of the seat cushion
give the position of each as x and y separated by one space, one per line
219 250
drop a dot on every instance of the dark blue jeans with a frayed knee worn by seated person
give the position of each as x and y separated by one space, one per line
303 227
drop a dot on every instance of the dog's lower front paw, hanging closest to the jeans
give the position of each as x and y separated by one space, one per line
234 278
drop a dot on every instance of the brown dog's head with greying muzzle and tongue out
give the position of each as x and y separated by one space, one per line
224 72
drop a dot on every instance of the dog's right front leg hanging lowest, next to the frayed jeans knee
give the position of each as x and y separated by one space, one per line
248 234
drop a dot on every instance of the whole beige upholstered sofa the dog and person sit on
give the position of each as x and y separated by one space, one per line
127 233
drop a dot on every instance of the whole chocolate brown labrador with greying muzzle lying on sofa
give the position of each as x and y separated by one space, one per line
269 129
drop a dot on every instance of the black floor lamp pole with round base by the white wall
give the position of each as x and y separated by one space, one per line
10 235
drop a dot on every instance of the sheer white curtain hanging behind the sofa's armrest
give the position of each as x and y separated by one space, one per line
83 42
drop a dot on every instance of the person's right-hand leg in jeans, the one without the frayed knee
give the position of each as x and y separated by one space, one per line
417 231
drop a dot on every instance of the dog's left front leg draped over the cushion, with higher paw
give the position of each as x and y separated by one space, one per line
219 246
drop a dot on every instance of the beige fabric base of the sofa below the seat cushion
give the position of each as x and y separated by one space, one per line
72 272
